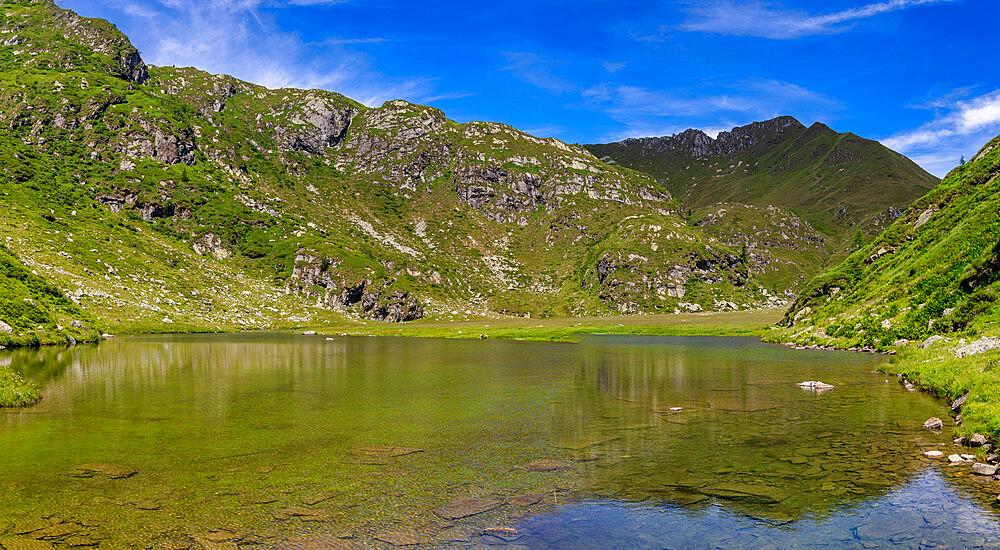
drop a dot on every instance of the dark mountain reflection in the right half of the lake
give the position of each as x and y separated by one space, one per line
747 436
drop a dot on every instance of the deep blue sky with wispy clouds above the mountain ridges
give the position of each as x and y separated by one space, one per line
919 75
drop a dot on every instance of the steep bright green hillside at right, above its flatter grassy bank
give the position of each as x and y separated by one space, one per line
935 271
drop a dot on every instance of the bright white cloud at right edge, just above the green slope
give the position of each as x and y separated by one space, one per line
960 128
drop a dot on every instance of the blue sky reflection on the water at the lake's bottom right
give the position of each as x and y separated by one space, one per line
923 512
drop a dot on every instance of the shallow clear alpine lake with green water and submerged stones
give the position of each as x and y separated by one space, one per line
303 442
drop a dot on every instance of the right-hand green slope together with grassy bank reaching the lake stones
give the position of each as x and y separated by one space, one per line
935 271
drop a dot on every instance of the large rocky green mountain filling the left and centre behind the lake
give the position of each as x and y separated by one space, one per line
163 198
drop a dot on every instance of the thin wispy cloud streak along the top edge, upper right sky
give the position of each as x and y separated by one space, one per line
763 20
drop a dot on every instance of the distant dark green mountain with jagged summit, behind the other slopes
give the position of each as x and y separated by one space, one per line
838 183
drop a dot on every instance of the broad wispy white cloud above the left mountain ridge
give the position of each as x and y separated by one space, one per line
242 39
